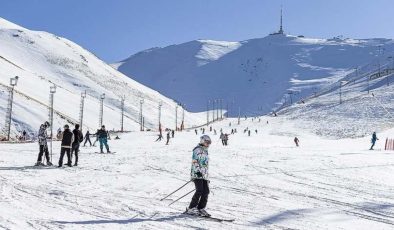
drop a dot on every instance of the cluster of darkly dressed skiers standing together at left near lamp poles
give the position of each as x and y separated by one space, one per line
70 143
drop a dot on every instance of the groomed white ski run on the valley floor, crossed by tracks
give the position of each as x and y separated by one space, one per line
262 181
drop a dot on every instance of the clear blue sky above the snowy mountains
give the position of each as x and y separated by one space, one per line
115 29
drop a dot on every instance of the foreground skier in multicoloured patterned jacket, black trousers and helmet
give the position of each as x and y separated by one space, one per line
199 175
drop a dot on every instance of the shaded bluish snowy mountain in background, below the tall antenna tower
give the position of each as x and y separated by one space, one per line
255 75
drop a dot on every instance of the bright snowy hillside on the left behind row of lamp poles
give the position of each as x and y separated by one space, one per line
41 59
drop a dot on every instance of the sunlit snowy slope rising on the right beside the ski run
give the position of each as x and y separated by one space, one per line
364 104
